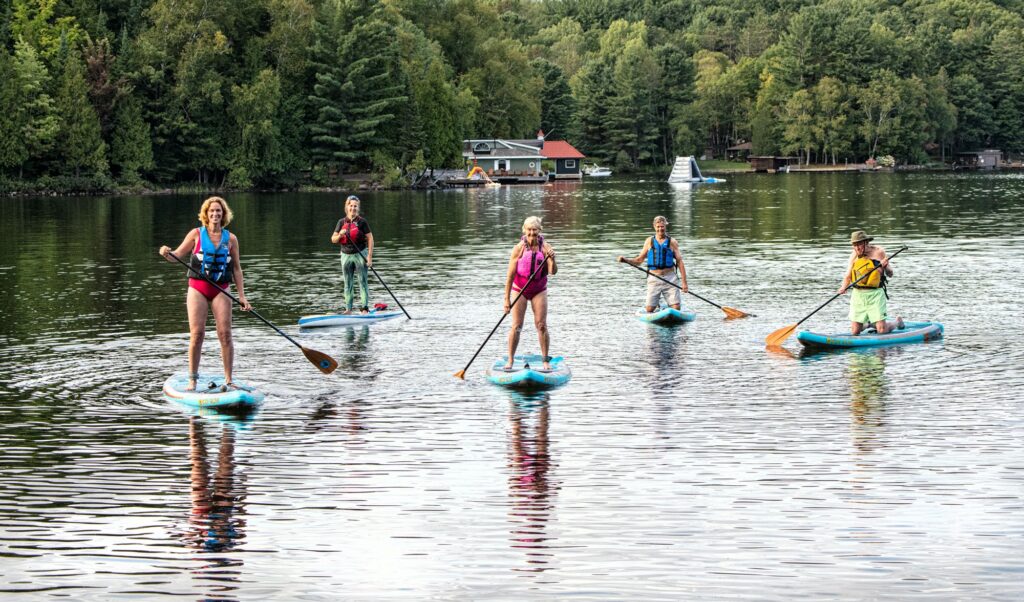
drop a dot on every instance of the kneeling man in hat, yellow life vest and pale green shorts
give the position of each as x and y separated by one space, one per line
869 305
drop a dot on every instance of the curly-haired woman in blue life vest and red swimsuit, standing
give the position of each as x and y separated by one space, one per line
218 256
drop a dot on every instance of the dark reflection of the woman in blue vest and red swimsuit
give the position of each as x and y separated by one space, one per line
217 502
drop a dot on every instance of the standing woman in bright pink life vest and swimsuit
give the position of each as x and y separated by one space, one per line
530 254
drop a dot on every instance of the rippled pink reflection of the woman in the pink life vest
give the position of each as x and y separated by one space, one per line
530 462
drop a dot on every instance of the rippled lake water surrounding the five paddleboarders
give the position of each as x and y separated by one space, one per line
679 463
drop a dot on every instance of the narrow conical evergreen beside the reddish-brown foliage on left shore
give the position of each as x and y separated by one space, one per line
81 144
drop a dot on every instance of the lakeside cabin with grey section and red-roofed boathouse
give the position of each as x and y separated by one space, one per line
511 162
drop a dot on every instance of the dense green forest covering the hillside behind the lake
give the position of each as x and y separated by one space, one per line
99 95
